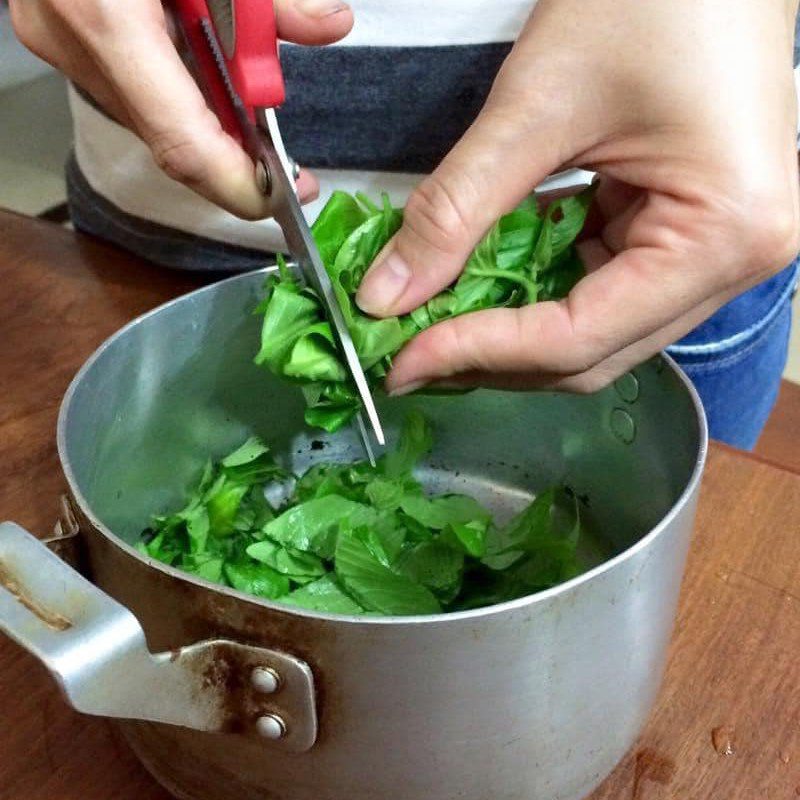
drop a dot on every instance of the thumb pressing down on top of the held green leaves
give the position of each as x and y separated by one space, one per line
507 151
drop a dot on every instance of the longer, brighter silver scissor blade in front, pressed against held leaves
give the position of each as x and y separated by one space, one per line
288 214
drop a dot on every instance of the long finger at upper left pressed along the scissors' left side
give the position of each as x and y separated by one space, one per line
166 107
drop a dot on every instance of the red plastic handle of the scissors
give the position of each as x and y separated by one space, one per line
250 55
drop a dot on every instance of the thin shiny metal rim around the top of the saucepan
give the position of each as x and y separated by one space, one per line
432 619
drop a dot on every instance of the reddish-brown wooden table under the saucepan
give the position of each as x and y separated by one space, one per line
727 724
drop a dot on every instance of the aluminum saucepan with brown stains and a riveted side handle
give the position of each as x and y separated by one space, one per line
227 696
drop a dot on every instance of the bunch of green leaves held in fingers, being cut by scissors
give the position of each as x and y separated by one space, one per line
527 257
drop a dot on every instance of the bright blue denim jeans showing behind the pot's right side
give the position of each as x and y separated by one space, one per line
736 359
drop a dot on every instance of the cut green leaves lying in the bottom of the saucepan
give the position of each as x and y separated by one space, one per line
357 539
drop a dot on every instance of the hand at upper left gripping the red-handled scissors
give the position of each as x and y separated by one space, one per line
121 53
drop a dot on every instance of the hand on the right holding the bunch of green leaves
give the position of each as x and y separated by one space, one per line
687 109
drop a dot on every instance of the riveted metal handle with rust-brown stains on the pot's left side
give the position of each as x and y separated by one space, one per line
96 650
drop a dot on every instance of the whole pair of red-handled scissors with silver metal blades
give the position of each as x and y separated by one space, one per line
232 48
